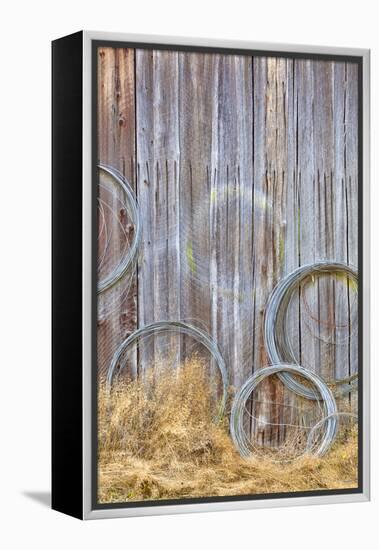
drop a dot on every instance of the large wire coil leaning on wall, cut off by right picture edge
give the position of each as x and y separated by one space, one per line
276 338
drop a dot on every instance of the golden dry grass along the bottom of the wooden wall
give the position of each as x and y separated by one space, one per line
157 440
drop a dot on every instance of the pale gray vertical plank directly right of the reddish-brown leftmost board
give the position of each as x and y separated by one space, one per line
158 191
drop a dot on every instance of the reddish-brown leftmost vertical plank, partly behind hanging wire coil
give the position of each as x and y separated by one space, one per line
116 147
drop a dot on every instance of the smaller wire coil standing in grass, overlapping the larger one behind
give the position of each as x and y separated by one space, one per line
239 437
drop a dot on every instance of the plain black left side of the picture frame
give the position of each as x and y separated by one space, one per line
67 401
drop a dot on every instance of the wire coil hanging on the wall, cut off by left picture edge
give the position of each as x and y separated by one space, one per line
128 259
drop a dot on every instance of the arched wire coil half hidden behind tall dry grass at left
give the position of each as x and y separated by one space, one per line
182 328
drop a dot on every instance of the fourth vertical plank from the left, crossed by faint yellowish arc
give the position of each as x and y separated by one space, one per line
234 152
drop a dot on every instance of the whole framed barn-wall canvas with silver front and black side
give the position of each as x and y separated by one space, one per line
210 275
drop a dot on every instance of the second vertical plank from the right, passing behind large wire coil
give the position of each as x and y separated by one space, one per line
316 172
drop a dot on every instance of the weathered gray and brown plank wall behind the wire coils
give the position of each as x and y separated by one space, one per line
244 169
